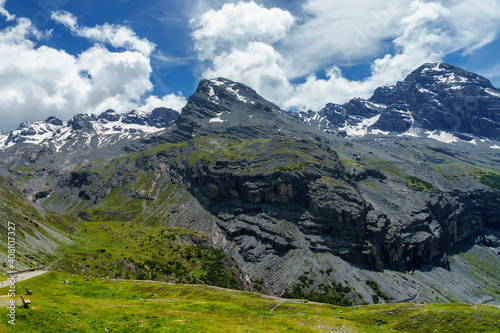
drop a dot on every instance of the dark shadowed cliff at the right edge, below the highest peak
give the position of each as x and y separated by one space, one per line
424 236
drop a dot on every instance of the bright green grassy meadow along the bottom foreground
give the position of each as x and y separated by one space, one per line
127 306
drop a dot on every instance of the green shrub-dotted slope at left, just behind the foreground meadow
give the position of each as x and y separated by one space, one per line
132 251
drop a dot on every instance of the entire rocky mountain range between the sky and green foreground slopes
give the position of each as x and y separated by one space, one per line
406 181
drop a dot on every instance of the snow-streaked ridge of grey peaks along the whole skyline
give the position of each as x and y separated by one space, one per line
436 101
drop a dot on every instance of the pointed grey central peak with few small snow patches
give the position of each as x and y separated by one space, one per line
221 106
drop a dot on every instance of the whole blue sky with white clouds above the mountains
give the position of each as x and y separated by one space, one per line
62 57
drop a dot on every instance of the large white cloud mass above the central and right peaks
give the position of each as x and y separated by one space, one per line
332 33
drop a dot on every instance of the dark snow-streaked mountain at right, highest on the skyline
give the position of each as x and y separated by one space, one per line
435 97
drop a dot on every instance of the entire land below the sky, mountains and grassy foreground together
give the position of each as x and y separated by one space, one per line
384 214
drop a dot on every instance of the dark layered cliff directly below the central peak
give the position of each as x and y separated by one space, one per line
260 200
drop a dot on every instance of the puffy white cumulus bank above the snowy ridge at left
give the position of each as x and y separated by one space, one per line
40 81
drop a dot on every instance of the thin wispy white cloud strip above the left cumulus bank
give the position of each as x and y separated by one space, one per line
115 35
